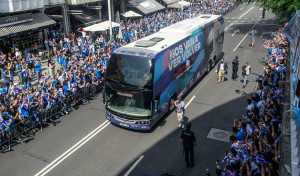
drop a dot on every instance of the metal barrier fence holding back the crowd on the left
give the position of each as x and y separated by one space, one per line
29 126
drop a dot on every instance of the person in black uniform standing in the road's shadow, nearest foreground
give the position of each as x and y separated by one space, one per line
188 139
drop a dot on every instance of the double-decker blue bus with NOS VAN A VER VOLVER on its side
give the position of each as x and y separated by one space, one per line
145 77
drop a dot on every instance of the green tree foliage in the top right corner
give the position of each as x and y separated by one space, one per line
284 9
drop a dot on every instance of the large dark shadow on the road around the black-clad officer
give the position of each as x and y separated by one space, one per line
166 156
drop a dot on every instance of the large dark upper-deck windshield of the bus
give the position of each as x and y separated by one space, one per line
130 70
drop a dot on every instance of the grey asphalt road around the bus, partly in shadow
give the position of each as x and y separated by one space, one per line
113 151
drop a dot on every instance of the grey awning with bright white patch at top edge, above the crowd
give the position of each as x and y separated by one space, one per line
147 6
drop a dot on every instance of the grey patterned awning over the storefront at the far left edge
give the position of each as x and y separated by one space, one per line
39 20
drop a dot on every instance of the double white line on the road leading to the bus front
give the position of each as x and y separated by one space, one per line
73 149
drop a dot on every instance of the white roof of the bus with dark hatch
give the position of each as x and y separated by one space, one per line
170 35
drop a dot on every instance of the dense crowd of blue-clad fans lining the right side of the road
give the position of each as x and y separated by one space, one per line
255 148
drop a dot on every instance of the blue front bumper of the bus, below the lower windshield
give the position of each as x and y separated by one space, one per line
132 126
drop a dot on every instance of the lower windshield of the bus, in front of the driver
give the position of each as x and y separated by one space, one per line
137 104
